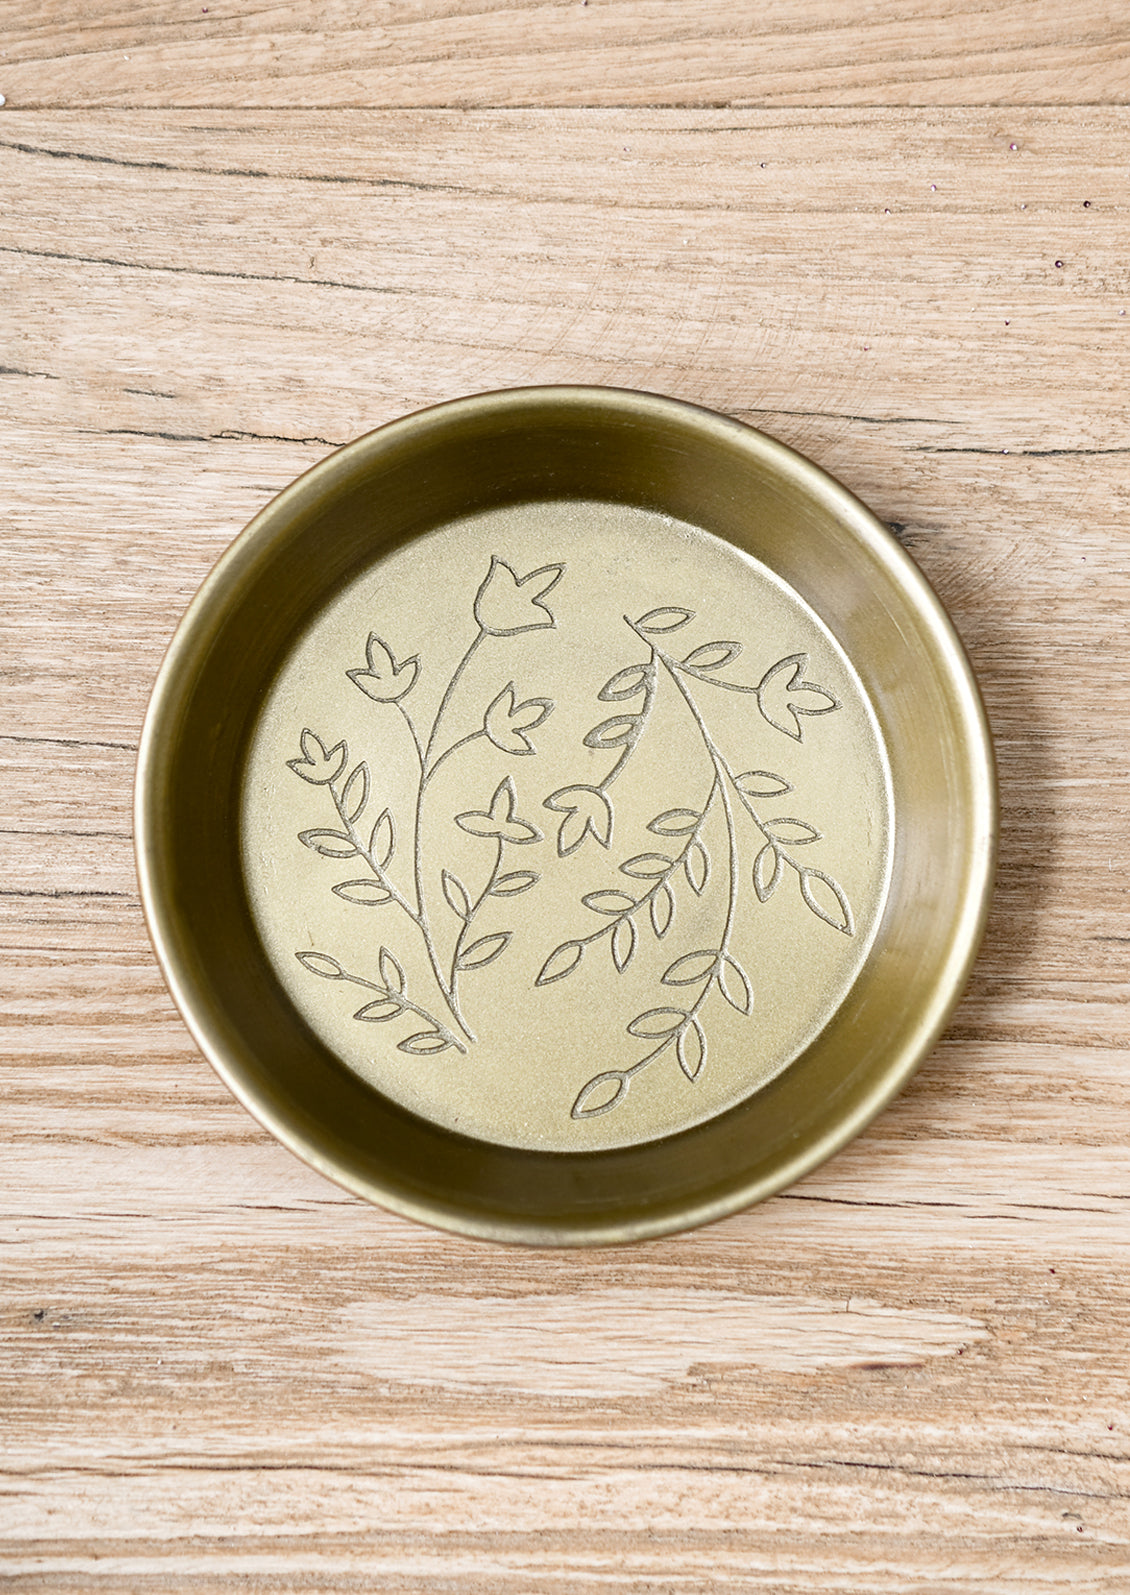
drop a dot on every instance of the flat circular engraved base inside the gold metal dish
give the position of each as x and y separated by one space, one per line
567 825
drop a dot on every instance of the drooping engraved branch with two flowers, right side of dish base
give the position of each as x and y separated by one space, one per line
783 695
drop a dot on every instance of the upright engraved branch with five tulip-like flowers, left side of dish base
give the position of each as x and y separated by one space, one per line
505 605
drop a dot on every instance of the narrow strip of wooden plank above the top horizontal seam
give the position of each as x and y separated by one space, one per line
409 53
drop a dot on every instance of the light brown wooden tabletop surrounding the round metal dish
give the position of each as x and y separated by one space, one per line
909 1374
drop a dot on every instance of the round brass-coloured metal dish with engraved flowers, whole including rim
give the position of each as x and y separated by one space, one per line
566 816
